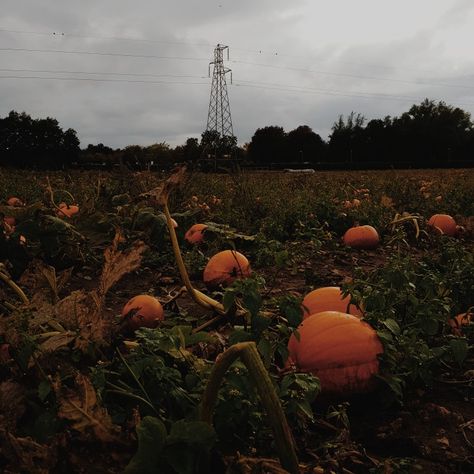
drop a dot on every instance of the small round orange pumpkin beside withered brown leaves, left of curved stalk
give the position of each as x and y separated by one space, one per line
142 311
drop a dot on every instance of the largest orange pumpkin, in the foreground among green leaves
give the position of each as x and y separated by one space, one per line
340 349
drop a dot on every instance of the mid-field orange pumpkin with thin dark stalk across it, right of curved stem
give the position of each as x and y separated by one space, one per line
224 267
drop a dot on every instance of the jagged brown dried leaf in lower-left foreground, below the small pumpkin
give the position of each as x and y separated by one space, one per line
80 408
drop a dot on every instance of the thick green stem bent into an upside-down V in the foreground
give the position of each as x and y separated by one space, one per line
248 352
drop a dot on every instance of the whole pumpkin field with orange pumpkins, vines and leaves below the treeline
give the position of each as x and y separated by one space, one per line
315 323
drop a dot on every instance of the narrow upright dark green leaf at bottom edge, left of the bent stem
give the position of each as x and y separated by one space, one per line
151 440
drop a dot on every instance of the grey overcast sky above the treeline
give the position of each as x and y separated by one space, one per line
136 72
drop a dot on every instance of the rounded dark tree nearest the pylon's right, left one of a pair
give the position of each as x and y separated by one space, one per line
268 145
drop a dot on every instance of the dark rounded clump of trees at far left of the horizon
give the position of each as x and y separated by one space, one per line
38 143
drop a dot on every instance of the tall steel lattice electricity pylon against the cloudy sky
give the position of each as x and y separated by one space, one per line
218 117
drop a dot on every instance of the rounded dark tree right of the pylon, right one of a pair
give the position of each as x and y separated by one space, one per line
304 145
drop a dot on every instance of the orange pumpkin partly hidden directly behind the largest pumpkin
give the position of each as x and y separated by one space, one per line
328 299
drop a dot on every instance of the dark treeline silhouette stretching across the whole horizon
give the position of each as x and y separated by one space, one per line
428 135
